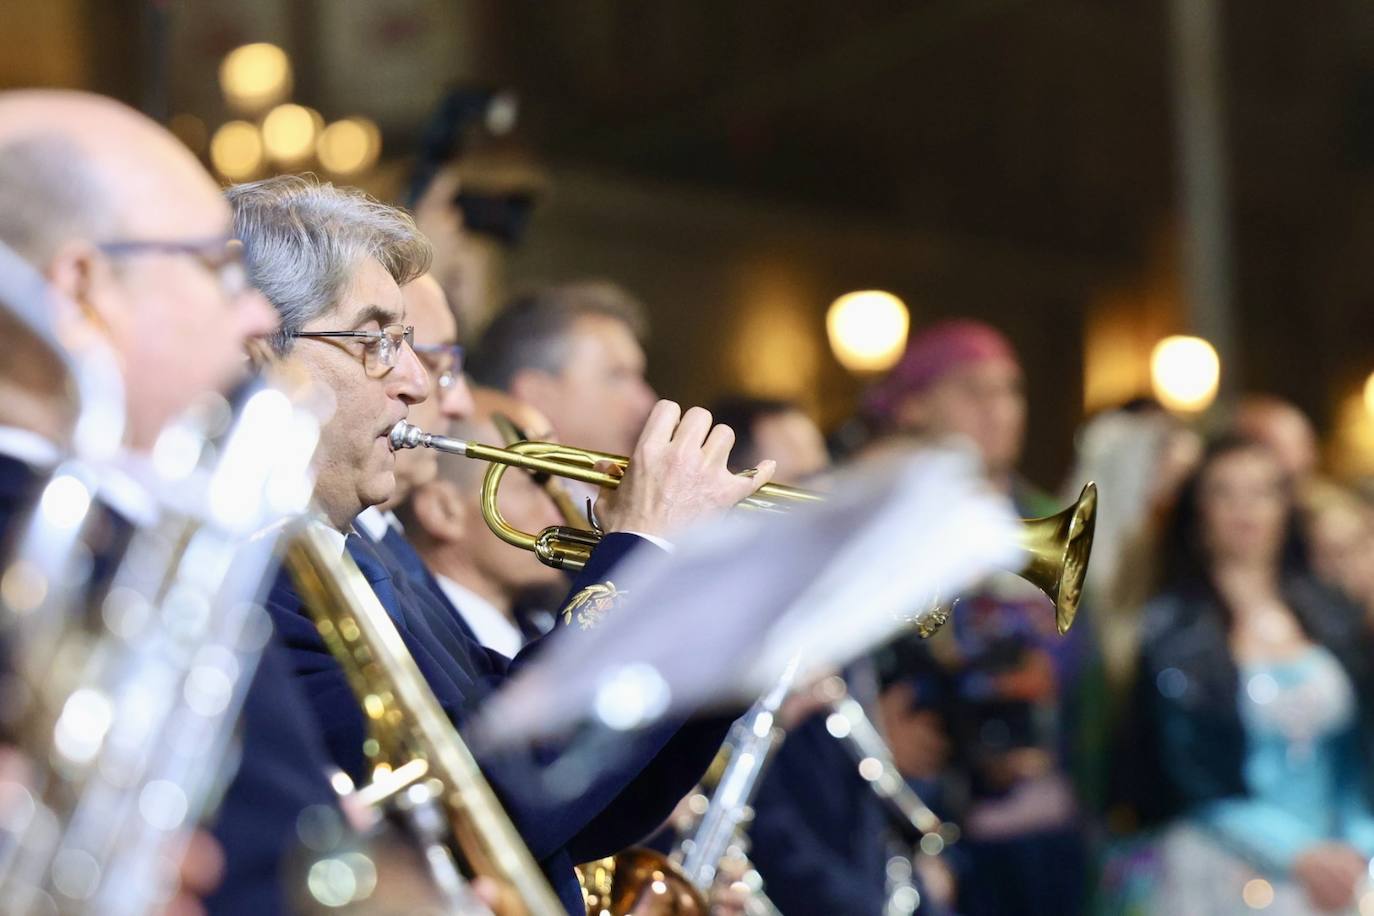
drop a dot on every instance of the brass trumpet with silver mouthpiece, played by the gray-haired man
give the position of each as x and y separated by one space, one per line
1056 549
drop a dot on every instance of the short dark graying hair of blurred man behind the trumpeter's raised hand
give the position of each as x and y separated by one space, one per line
532 332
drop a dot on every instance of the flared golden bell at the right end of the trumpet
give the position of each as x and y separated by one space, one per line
1059 549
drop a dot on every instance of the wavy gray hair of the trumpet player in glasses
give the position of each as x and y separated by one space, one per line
304 238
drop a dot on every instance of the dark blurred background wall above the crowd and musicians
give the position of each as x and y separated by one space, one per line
741 164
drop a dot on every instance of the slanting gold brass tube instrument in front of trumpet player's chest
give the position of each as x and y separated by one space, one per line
417 755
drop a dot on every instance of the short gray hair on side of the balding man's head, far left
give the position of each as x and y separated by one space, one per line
50 193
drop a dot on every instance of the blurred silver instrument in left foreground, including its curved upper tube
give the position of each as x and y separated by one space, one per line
123 698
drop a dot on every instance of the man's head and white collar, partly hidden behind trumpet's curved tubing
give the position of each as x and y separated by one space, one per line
482 576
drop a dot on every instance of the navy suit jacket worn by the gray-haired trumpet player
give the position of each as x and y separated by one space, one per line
629 796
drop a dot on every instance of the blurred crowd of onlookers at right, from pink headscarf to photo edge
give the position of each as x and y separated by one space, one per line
1202 741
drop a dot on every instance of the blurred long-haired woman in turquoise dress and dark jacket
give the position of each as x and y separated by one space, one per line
1254 701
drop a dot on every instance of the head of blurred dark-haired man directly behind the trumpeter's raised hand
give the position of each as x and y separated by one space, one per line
575 354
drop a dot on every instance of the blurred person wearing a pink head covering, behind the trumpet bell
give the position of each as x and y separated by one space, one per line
1023 712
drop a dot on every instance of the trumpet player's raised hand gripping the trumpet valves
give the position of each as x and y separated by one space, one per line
677 474
